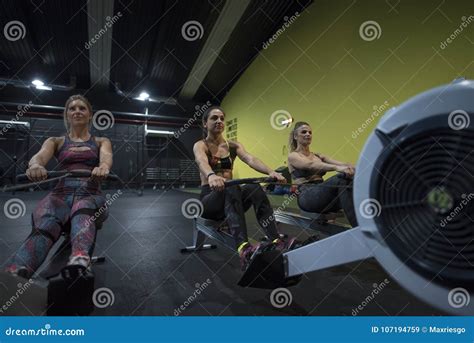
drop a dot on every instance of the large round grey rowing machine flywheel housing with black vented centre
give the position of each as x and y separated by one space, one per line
414 195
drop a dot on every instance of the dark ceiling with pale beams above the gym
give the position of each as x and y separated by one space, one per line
139 45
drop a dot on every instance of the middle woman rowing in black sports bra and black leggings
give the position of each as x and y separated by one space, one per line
215 157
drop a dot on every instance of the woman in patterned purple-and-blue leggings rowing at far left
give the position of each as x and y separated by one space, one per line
73 199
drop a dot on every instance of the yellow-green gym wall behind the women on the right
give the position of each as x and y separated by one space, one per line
320 70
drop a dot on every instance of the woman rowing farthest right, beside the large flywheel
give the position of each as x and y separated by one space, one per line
307 170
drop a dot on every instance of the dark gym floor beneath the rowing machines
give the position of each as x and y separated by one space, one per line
149 276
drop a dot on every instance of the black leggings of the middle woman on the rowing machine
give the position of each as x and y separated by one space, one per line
231 205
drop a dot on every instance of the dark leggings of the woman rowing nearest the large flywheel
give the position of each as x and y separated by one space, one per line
331 195
